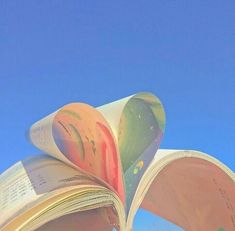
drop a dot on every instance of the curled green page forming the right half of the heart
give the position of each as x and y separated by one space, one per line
138 122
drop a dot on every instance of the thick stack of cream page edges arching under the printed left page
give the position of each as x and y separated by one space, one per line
23 220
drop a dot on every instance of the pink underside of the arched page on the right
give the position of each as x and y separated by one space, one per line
194 194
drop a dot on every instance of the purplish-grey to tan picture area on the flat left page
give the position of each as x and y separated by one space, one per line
47 174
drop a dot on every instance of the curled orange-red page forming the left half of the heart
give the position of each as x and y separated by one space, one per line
79 135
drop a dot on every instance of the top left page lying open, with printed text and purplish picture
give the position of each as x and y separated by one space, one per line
28 181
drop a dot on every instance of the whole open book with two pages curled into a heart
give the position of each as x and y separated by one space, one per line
103 163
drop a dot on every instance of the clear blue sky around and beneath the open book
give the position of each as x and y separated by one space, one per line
56 52
